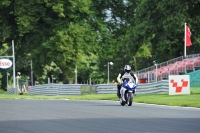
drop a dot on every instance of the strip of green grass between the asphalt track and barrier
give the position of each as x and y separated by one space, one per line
192 100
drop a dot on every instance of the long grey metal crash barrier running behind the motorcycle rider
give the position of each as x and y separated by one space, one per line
78 89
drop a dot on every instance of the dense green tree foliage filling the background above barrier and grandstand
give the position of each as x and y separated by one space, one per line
60 35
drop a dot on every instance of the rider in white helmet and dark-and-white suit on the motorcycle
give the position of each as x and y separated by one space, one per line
126 71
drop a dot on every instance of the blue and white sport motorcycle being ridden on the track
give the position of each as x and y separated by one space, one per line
128 90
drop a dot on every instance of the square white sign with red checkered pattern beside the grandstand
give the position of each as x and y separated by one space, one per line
179 84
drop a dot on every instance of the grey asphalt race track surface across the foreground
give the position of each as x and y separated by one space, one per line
68 116
